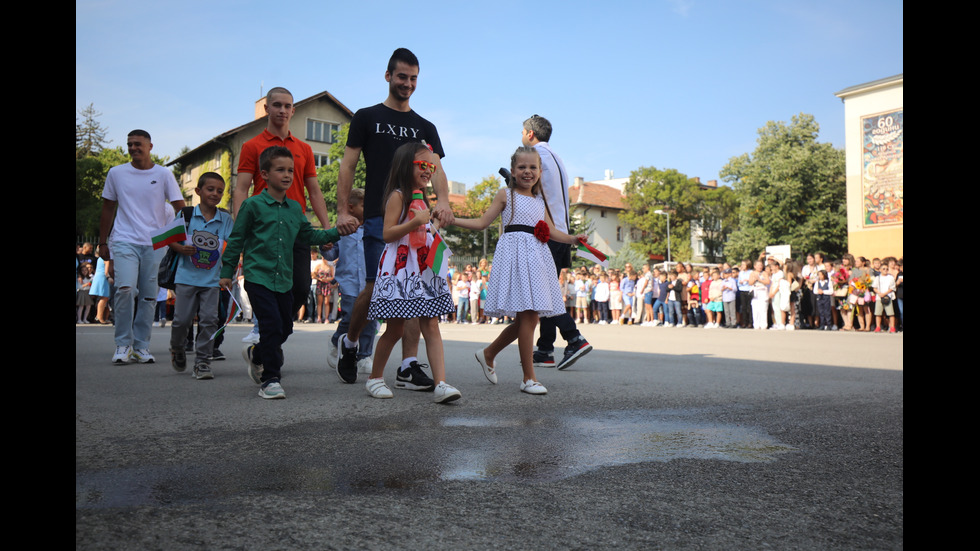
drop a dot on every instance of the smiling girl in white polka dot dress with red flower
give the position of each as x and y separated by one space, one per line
522 283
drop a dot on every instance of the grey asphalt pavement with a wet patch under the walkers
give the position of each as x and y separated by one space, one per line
661 438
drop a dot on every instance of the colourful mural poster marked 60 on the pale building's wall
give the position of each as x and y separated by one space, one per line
883 162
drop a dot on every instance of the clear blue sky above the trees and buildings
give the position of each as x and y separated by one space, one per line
680 84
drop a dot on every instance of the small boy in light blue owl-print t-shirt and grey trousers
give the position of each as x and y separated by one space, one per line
196 281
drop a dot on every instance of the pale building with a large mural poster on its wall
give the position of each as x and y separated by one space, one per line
875 148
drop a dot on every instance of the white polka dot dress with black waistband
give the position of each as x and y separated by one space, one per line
523 275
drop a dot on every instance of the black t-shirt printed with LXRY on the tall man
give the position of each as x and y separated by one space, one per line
378 131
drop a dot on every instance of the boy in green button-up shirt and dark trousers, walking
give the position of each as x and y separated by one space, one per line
265 230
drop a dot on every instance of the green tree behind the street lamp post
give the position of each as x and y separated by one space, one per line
649 190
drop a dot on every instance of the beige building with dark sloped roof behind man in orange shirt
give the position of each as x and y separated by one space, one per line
317 118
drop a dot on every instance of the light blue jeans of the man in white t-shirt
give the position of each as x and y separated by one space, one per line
135 277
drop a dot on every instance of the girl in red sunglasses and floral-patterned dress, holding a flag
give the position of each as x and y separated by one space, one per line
406 286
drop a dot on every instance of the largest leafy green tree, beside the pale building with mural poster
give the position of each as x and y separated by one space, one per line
791 190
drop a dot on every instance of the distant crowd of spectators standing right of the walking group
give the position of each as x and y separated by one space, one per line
853 293
